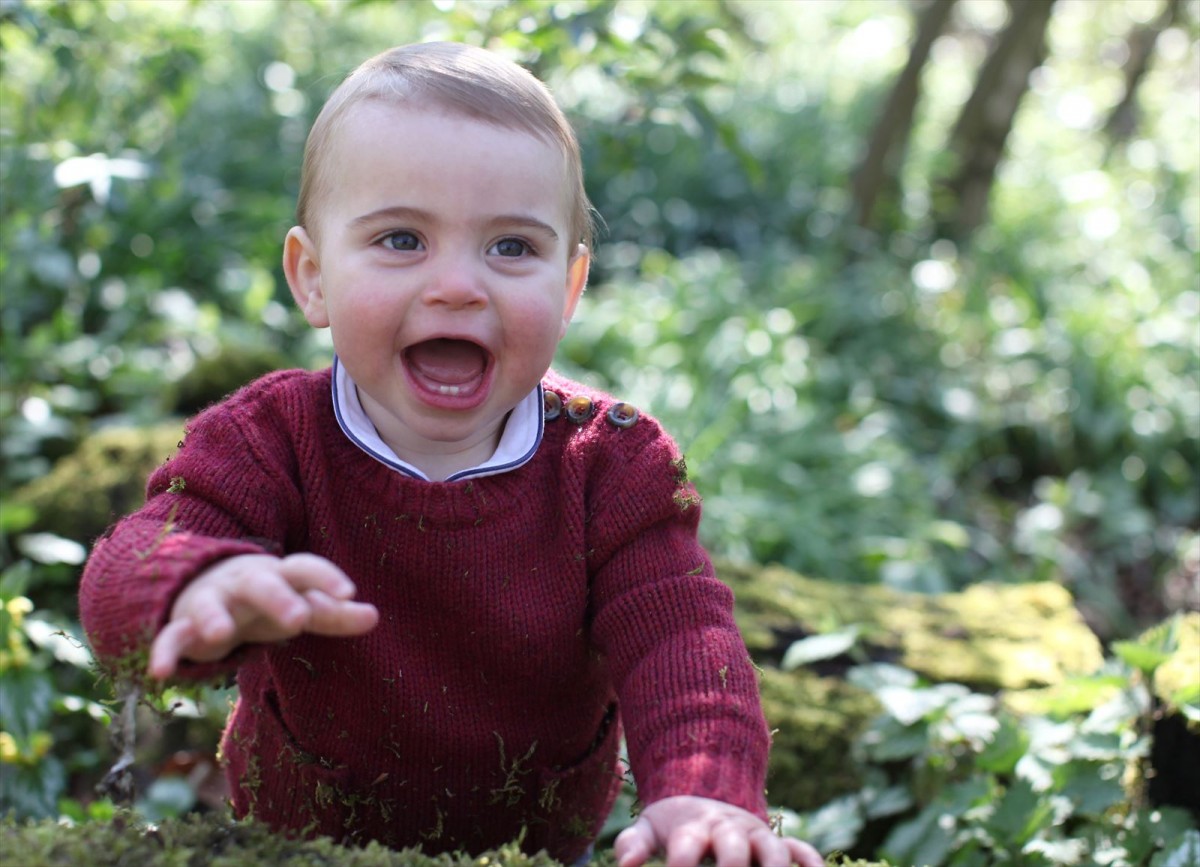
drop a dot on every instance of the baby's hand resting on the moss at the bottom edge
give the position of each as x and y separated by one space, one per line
687 829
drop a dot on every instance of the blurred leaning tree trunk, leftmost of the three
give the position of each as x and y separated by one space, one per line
878 175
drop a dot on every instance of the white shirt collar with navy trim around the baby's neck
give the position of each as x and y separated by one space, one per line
519 443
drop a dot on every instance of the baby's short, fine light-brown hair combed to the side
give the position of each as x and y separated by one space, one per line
459 79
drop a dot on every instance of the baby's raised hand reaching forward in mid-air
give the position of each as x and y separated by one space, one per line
257 597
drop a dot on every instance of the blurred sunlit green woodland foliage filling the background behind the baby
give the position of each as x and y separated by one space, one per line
868 409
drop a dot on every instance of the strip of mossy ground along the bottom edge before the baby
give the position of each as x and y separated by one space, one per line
218 841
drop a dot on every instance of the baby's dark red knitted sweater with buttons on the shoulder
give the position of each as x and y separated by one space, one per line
518 614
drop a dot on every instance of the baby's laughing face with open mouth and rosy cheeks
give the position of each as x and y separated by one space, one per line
446 271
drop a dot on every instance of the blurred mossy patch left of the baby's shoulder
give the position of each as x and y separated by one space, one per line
103 481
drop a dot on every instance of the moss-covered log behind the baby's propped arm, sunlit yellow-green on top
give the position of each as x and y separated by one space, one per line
991 638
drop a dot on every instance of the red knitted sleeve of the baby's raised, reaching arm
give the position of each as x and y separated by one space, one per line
230 491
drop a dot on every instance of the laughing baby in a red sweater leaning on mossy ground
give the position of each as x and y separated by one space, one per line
447 578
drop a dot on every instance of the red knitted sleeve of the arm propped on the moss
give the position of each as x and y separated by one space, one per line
688 690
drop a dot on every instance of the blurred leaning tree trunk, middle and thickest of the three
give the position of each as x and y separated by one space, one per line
977 143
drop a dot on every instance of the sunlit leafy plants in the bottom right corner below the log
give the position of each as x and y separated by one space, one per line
976 785
